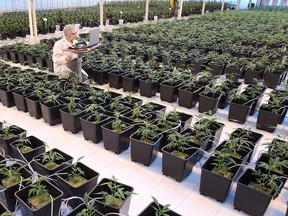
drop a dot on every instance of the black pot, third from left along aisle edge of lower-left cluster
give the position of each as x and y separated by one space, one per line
43 170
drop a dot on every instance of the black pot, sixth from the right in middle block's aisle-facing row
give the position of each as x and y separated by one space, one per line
93 131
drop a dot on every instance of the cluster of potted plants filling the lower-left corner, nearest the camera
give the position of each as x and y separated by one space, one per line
42 196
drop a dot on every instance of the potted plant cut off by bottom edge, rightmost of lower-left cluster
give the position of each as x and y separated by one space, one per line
155 208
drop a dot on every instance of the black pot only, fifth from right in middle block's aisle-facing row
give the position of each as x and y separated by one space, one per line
116 142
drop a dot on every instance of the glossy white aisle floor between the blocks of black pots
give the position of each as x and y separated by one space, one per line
149 181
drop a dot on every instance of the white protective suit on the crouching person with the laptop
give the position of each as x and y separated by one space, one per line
60 64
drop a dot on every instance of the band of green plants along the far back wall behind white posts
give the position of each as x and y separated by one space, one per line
89 16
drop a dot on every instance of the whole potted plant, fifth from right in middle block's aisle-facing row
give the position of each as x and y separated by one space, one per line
116 134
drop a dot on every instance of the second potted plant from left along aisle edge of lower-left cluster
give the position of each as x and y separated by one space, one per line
27 147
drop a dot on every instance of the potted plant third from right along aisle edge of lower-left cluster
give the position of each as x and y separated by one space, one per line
77 179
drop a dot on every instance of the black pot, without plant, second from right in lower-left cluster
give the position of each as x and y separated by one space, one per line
99 202
